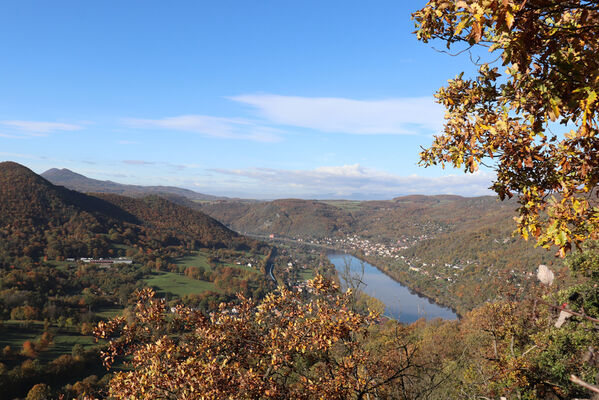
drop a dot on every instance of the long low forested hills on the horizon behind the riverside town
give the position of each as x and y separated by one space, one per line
392 219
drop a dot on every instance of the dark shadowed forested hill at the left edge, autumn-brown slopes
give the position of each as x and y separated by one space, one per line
40 219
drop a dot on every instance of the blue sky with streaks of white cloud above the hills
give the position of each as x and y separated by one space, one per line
252 99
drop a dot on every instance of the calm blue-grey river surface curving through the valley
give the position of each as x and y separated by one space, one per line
400 303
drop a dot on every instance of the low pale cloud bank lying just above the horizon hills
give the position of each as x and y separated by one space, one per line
355 180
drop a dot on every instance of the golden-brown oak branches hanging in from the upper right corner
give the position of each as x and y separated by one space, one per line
536 122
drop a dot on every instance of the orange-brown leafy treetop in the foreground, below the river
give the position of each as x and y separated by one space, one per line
291 345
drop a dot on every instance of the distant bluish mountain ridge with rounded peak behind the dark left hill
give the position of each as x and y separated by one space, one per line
72 180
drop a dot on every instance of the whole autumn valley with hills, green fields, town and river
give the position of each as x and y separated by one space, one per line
69 260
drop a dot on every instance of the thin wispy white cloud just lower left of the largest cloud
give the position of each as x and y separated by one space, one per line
232 128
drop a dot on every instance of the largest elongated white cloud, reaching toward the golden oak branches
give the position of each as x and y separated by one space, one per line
398 116
